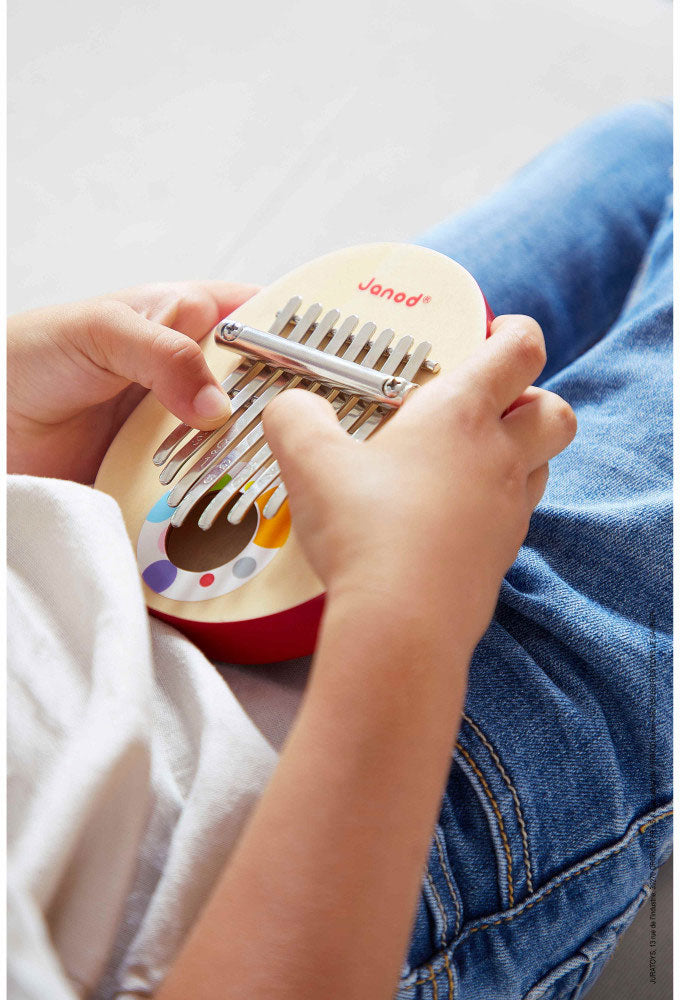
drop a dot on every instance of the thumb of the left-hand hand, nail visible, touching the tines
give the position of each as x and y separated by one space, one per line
165 361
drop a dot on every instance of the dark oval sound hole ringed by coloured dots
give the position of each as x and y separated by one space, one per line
191 548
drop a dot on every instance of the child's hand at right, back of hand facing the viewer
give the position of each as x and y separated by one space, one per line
432 510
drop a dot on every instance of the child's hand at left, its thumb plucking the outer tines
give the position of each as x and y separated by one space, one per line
75 372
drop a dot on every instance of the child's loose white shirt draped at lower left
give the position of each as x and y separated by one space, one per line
132 766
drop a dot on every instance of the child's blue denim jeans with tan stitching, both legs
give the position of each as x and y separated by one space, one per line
557 809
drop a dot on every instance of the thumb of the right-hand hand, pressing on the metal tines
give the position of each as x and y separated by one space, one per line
301 428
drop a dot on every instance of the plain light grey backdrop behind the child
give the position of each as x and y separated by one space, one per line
202 139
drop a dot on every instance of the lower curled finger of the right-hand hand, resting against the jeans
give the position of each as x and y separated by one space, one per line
542 428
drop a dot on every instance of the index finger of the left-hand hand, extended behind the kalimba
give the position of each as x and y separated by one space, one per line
192 307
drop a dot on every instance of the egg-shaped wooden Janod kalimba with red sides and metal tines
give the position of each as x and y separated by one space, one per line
215 547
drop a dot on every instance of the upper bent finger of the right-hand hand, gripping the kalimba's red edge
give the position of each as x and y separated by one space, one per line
508 362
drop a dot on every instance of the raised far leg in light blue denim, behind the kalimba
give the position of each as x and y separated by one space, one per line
562 241
